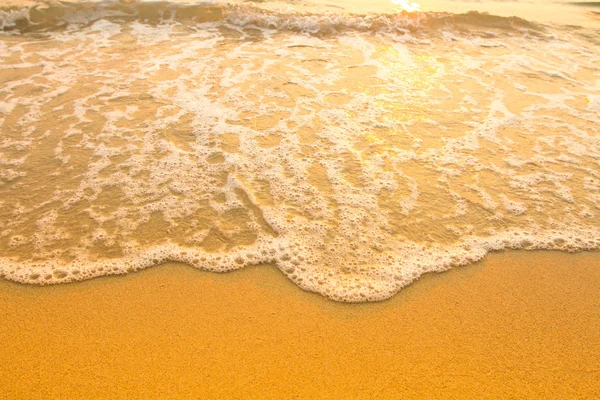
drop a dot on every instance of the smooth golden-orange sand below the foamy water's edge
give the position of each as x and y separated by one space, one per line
517 325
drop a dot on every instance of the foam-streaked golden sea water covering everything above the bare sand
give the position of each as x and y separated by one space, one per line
356 148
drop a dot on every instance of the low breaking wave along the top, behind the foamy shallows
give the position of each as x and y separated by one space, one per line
47 16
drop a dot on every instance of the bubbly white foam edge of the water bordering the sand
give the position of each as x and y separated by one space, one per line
380 283
